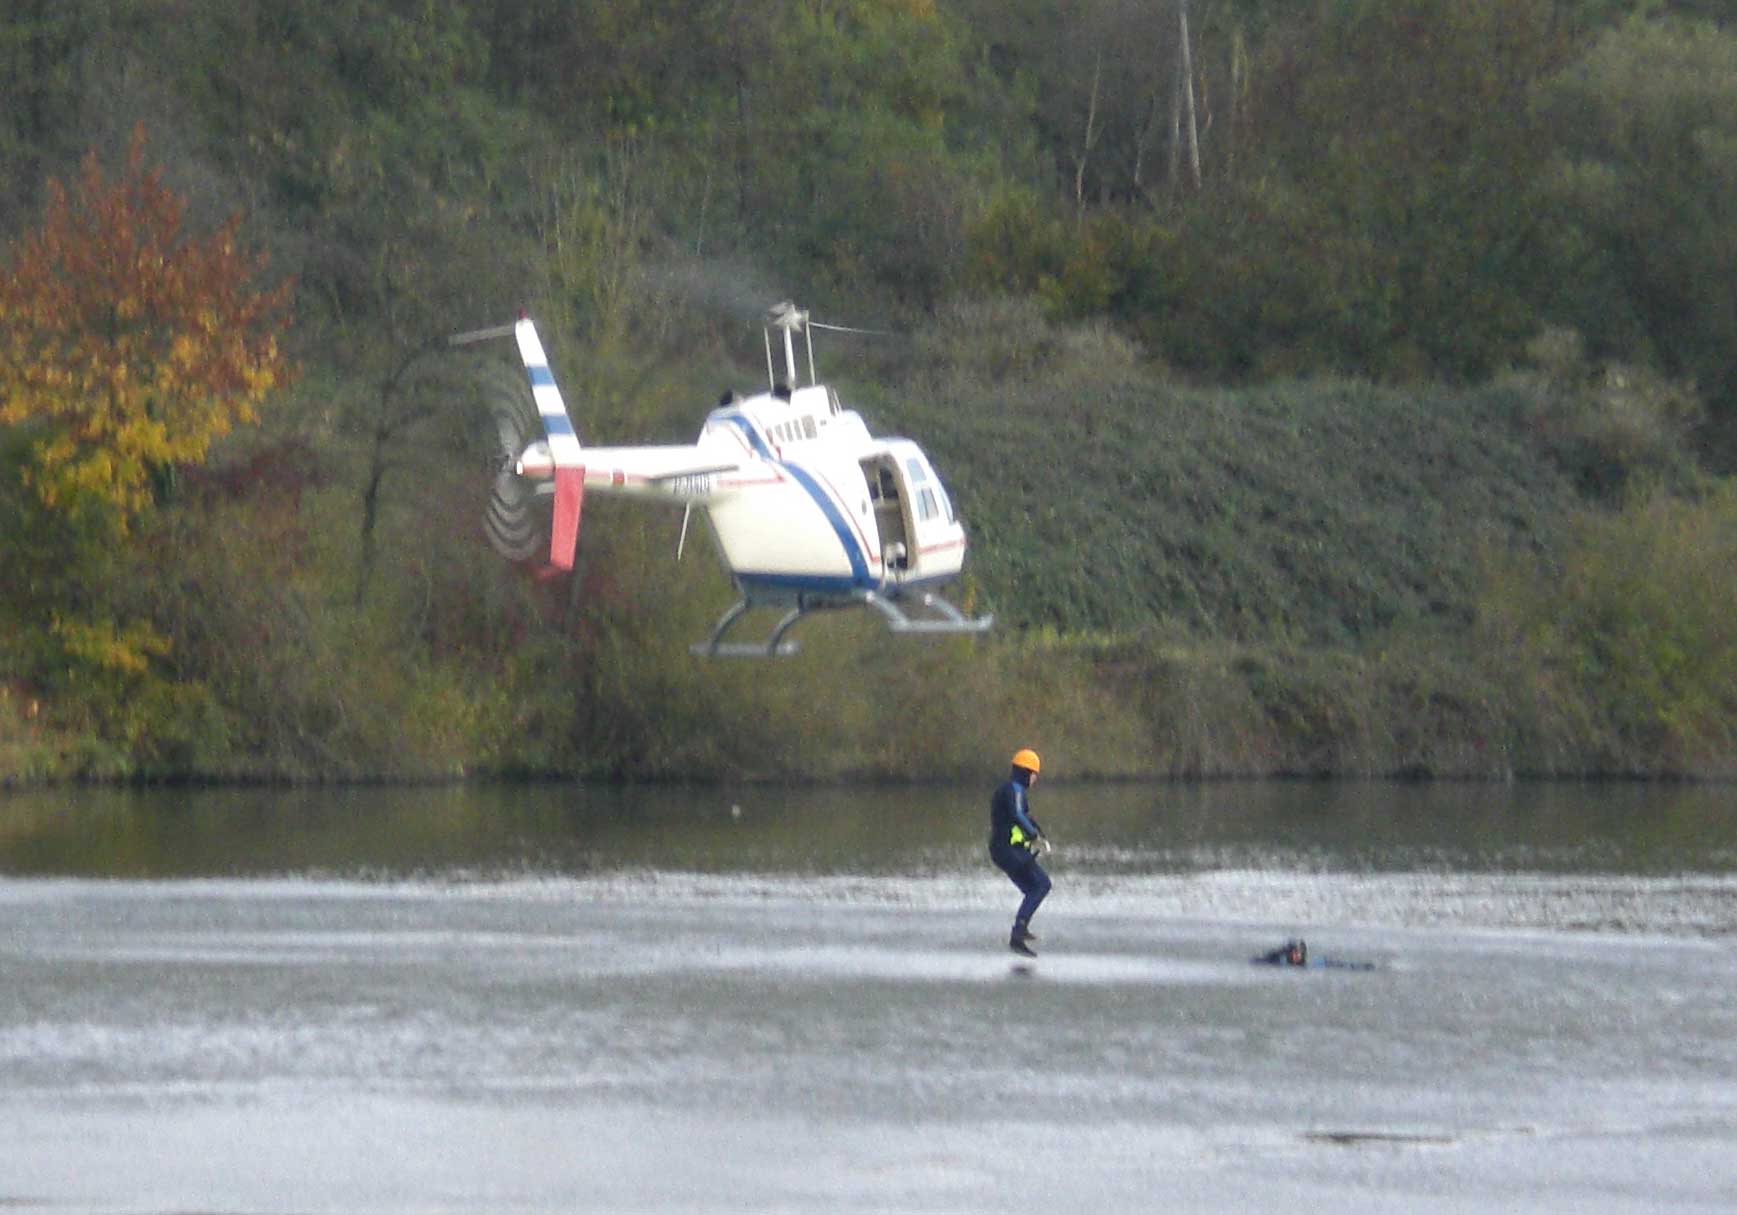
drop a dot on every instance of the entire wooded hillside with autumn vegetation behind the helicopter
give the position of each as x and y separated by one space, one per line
1361 402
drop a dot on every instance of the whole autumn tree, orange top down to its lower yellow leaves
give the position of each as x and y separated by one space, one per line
128 347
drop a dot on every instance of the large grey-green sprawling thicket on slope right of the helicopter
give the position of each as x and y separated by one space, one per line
1104 498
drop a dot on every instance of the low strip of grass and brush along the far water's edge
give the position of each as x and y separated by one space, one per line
390 691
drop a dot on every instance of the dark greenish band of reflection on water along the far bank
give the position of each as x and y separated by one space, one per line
1118 828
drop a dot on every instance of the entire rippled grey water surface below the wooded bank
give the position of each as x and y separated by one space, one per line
545 999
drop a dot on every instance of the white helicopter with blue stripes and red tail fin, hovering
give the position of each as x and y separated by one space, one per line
807 508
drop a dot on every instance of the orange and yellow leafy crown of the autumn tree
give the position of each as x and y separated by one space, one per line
128 342
